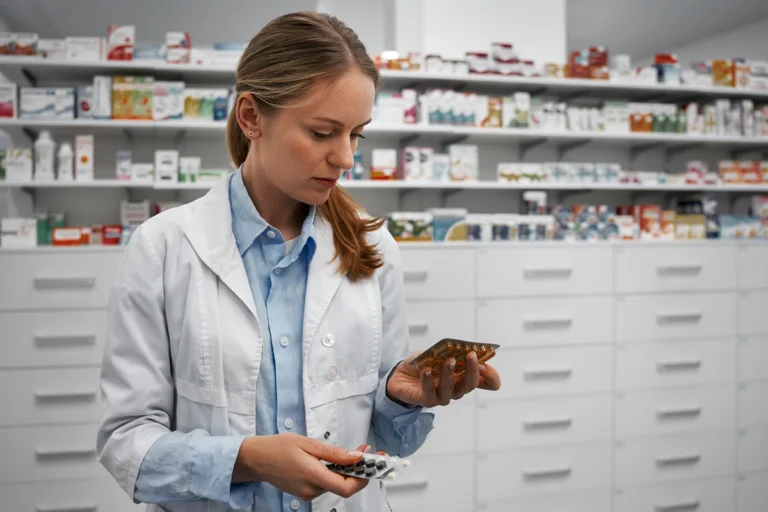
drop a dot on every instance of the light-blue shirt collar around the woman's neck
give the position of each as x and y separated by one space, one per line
248 224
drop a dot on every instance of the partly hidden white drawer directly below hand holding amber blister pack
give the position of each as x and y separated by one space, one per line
454 431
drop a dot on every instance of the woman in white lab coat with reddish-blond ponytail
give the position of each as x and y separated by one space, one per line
261 329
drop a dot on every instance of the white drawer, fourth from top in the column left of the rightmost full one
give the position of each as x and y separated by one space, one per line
544 421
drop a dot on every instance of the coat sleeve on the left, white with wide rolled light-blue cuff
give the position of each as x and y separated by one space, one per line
137 393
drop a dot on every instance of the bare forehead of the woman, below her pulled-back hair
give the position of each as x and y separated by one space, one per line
348 99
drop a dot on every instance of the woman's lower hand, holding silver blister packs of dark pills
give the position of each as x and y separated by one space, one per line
292 463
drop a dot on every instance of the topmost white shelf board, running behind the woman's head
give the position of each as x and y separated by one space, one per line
45 71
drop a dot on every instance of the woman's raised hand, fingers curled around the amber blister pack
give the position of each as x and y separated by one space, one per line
412 386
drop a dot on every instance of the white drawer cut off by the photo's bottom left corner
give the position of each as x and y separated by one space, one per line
103 495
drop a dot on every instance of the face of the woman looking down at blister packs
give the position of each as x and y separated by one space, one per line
302 150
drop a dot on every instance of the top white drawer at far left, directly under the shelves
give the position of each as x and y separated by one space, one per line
57 280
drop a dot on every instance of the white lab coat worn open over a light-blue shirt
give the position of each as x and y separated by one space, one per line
183 344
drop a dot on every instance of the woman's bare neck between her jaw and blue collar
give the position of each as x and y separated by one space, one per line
281 211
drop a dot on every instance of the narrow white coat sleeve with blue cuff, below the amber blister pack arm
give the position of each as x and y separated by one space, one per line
399 430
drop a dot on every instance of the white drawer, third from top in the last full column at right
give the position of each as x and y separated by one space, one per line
675 363
